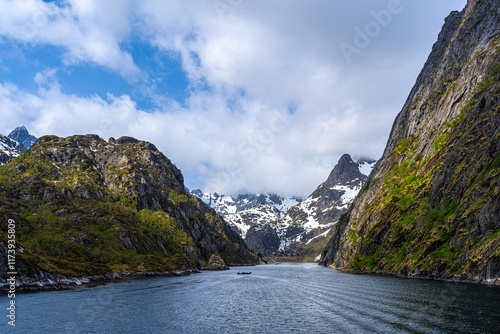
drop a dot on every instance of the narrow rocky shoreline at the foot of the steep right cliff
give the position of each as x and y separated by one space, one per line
443 278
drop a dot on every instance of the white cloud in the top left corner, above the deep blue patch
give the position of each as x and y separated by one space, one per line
89 30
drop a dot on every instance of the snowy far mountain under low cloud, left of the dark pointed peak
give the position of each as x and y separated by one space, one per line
244 211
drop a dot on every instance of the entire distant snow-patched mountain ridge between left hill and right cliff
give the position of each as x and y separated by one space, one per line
272 224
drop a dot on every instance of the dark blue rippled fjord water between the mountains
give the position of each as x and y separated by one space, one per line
284 298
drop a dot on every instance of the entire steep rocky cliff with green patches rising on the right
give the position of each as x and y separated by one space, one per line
431 206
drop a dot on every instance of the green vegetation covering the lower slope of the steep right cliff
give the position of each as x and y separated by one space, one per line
425 222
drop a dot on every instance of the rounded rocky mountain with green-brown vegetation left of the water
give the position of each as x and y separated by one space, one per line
83 207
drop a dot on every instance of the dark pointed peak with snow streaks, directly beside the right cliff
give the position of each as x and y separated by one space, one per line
305 228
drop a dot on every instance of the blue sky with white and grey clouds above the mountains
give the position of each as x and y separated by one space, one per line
243 96
